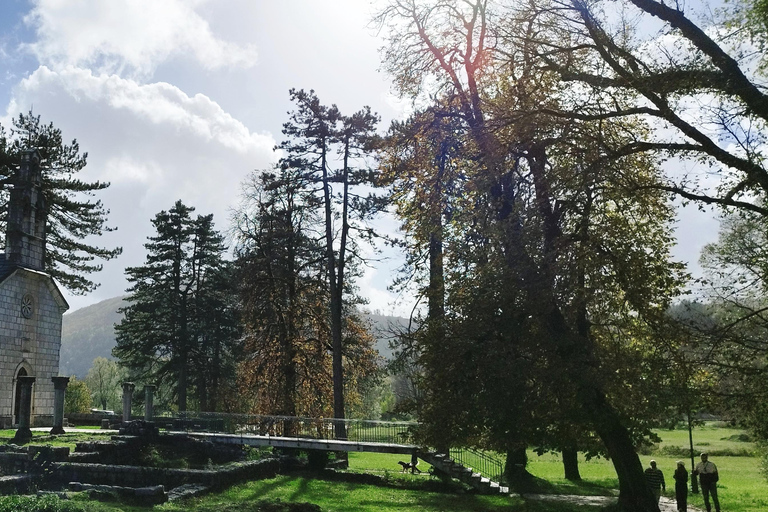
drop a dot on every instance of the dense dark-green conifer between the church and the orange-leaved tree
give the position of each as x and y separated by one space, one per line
180 321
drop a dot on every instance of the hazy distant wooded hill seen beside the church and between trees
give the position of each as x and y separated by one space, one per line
88 333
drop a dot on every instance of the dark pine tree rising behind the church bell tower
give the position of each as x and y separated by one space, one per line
73 218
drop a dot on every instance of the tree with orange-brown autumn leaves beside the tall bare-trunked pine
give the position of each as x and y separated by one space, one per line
282 276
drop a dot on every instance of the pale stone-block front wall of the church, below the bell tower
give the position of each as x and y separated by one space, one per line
33 342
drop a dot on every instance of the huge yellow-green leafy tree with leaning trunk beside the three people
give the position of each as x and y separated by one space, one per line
546 229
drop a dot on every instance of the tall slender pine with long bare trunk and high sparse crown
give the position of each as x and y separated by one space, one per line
327 147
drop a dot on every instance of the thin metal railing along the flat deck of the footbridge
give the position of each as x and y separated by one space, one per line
391 432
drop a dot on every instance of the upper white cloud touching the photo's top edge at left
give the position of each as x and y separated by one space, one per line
129 36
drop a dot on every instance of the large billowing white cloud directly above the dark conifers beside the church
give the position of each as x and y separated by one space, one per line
154 143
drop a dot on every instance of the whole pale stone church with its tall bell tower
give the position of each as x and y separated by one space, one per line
31 304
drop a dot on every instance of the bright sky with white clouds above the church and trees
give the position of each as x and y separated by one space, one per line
183 99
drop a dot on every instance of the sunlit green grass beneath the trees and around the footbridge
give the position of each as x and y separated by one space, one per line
376 482
